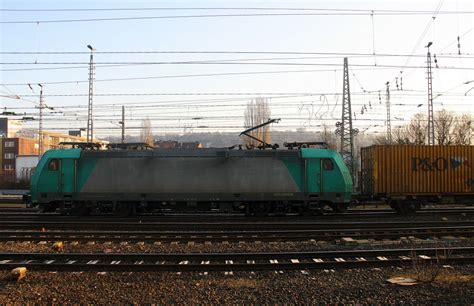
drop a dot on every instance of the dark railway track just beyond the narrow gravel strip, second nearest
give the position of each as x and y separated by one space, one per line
236 236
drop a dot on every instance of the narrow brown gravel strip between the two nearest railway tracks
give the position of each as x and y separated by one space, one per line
199 247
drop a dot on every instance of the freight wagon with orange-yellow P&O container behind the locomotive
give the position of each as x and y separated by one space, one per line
408 176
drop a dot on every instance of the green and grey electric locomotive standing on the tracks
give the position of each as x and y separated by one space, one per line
255 182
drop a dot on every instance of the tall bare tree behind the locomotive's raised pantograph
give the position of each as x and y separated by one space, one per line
257 112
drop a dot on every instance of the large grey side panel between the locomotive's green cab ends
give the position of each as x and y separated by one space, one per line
208 173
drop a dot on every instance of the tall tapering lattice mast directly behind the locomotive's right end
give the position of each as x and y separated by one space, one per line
344 128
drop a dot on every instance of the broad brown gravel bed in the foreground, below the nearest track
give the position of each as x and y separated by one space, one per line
455 285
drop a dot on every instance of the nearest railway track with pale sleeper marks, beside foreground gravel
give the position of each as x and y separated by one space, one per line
234 261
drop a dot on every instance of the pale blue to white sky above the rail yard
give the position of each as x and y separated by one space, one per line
292 57
